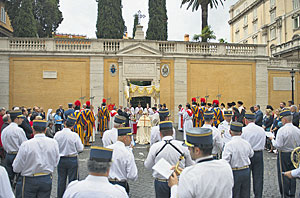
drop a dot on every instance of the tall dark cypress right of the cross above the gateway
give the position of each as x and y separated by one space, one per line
158 21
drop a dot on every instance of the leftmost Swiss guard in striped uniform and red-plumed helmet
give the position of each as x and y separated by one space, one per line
80 122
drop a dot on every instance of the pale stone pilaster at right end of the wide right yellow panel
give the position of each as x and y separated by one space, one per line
262 83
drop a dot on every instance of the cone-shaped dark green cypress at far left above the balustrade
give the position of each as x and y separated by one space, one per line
24 22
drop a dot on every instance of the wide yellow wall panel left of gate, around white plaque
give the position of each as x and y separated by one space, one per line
28 88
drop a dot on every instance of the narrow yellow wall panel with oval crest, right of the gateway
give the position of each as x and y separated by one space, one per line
167 87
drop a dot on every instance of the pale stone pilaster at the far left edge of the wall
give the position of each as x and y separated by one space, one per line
4 81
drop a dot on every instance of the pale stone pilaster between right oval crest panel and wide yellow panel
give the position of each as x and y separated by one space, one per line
180 83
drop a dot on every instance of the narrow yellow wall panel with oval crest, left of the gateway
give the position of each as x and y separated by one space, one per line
111 83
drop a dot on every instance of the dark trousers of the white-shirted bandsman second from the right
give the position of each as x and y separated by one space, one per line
257 169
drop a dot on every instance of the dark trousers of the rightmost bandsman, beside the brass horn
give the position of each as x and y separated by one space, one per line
287 186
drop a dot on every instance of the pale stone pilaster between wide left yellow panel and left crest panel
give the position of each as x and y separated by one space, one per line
96 80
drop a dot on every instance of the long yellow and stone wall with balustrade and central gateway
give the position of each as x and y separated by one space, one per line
52 72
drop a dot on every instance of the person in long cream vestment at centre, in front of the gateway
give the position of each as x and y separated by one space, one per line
144 128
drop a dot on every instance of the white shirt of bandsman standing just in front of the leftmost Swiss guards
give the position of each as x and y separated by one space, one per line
69 142
